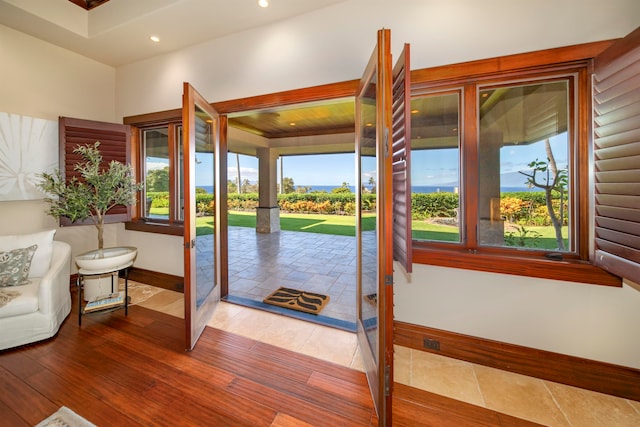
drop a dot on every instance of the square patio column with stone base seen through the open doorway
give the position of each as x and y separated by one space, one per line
268 212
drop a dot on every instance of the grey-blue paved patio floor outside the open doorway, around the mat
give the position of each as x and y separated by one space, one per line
261 263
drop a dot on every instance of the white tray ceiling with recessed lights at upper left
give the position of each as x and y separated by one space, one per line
116 32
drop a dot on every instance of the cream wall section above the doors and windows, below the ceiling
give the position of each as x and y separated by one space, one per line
334 44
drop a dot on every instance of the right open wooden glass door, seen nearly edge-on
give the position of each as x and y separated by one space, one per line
374 269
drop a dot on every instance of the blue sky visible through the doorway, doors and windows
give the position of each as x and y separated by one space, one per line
429 167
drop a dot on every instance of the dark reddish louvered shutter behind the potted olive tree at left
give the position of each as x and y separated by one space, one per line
114 145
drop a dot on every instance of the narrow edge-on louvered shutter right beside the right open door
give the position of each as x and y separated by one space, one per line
401 137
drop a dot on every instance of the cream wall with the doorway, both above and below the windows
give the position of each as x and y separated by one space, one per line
333 45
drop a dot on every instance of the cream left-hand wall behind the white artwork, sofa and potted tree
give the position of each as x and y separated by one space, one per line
43 81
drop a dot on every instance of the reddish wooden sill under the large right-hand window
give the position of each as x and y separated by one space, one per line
567 270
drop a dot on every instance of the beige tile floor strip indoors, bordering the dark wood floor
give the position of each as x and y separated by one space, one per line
529 398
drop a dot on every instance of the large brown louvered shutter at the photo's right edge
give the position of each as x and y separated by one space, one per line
616 116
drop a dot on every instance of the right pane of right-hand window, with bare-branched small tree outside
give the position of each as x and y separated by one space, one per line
524 175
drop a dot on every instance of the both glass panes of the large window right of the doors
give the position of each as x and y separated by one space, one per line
520 191
